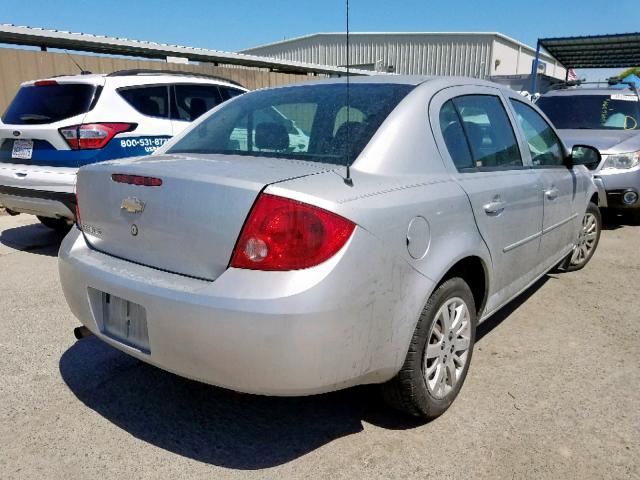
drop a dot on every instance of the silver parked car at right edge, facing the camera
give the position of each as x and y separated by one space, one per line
608 119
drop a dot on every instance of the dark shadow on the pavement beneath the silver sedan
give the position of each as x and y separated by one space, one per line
218 426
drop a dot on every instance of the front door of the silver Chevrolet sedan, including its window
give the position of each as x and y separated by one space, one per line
559 183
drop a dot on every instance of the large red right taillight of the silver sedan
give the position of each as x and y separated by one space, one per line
284 234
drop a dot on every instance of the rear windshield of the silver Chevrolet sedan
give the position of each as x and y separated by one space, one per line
304 122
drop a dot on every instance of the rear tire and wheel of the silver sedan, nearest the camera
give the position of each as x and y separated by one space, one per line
422 395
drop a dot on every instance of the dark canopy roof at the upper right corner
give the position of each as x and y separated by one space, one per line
598 51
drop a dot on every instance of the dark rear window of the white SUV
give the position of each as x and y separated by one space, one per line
50 103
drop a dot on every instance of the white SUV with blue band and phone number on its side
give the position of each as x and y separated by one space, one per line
55 125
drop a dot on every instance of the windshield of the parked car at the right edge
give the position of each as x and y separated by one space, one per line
593 112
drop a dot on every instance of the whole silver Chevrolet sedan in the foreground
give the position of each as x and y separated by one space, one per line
415 208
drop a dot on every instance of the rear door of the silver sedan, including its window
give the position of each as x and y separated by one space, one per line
476 132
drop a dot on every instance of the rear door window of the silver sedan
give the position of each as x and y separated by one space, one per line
488 131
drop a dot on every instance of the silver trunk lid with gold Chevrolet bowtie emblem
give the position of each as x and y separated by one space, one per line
188 225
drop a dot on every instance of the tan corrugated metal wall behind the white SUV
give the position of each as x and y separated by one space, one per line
17 66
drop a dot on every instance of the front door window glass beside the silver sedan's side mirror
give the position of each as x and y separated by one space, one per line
544 145
